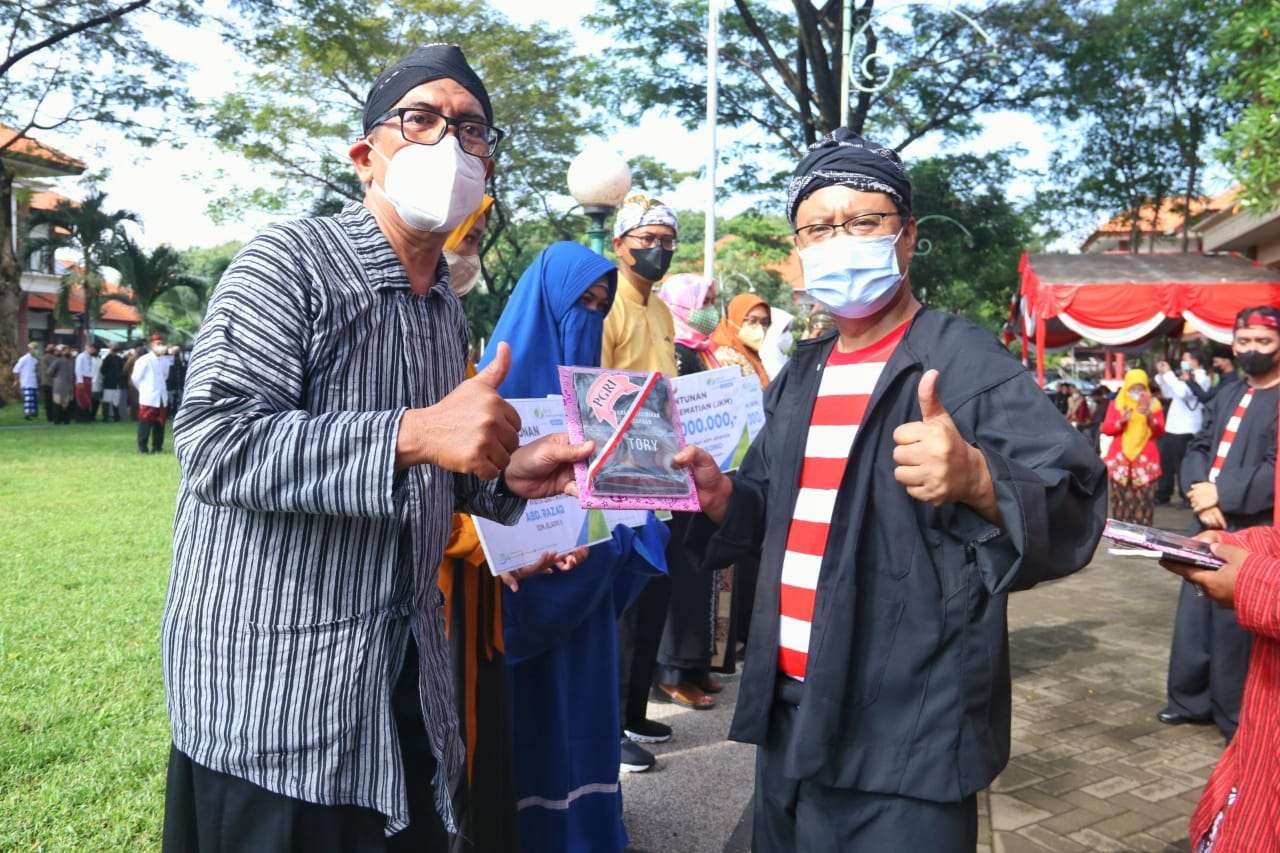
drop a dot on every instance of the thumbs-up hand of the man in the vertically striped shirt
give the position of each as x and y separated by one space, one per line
472 431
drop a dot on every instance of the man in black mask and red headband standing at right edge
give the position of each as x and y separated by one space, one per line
1229 478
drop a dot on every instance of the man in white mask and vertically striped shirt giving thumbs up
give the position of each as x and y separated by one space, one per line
326 439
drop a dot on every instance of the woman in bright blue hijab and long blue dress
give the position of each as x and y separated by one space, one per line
560 631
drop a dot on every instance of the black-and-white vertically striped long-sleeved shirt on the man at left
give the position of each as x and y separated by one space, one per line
303 560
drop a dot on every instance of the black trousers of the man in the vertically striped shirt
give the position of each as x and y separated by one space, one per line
212 813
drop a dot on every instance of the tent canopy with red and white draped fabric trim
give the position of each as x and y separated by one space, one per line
1126 299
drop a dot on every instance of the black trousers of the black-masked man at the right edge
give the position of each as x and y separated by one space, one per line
1208 662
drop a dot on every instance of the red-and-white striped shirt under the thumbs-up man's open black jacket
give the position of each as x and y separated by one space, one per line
844 394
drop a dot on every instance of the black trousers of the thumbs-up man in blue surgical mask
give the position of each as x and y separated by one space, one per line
794 816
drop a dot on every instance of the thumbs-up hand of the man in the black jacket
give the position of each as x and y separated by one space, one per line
936 464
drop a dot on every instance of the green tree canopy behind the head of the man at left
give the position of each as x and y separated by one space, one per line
314 62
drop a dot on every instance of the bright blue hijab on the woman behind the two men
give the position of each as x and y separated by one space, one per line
546 326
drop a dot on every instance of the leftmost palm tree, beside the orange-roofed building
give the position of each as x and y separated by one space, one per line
90 229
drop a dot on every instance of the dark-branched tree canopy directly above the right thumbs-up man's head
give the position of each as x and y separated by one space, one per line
922 70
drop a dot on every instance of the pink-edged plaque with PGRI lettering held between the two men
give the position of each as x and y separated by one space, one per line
636 426
